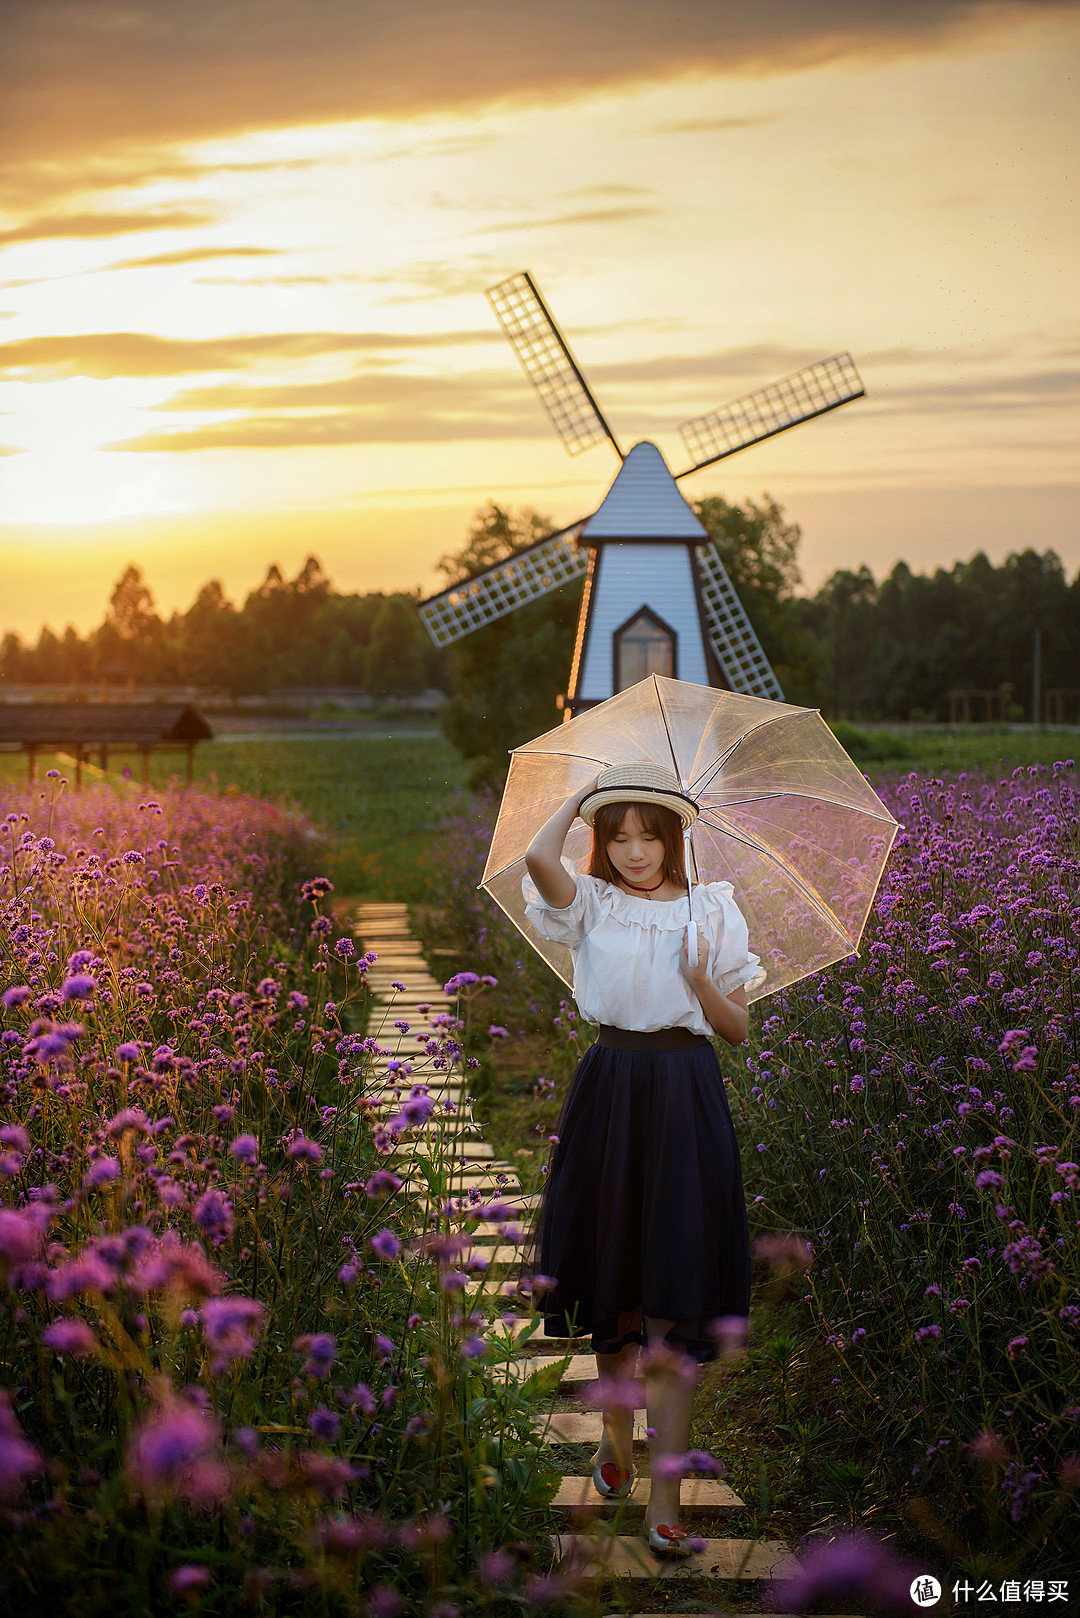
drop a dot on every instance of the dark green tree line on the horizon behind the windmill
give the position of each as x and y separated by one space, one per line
859 650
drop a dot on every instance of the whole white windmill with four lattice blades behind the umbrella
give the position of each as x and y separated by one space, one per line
657 595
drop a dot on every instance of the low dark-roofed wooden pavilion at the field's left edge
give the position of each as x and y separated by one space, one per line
83 729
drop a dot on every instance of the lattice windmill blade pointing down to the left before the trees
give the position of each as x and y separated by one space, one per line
532 572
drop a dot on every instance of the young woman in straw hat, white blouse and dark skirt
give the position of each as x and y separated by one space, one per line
642 1221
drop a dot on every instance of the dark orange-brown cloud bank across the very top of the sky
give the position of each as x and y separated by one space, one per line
90 75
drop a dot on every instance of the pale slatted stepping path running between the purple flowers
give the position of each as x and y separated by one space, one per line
707 1506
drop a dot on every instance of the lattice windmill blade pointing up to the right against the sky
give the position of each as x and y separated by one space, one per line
762 415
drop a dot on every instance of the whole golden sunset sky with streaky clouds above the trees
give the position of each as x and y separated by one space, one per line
245 244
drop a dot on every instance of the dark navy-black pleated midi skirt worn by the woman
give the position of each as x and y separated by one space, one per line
644 1209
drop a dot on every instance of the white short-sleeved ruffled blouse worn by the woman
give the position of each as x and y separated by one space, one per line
626 951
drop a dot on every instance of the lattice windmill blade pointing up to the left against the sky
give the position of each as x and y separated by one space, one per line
550 365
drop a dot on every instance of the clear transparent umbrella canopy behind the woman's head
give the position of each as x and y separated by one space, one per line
786 816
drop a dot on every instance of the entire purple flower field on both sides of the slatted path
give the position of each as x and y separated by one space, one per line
240 1366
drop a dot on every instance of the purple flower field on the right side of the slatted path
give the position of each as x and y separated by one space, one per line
911 1138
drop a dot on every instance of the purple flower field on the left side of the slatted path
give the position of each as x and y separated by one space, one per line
239 1366
